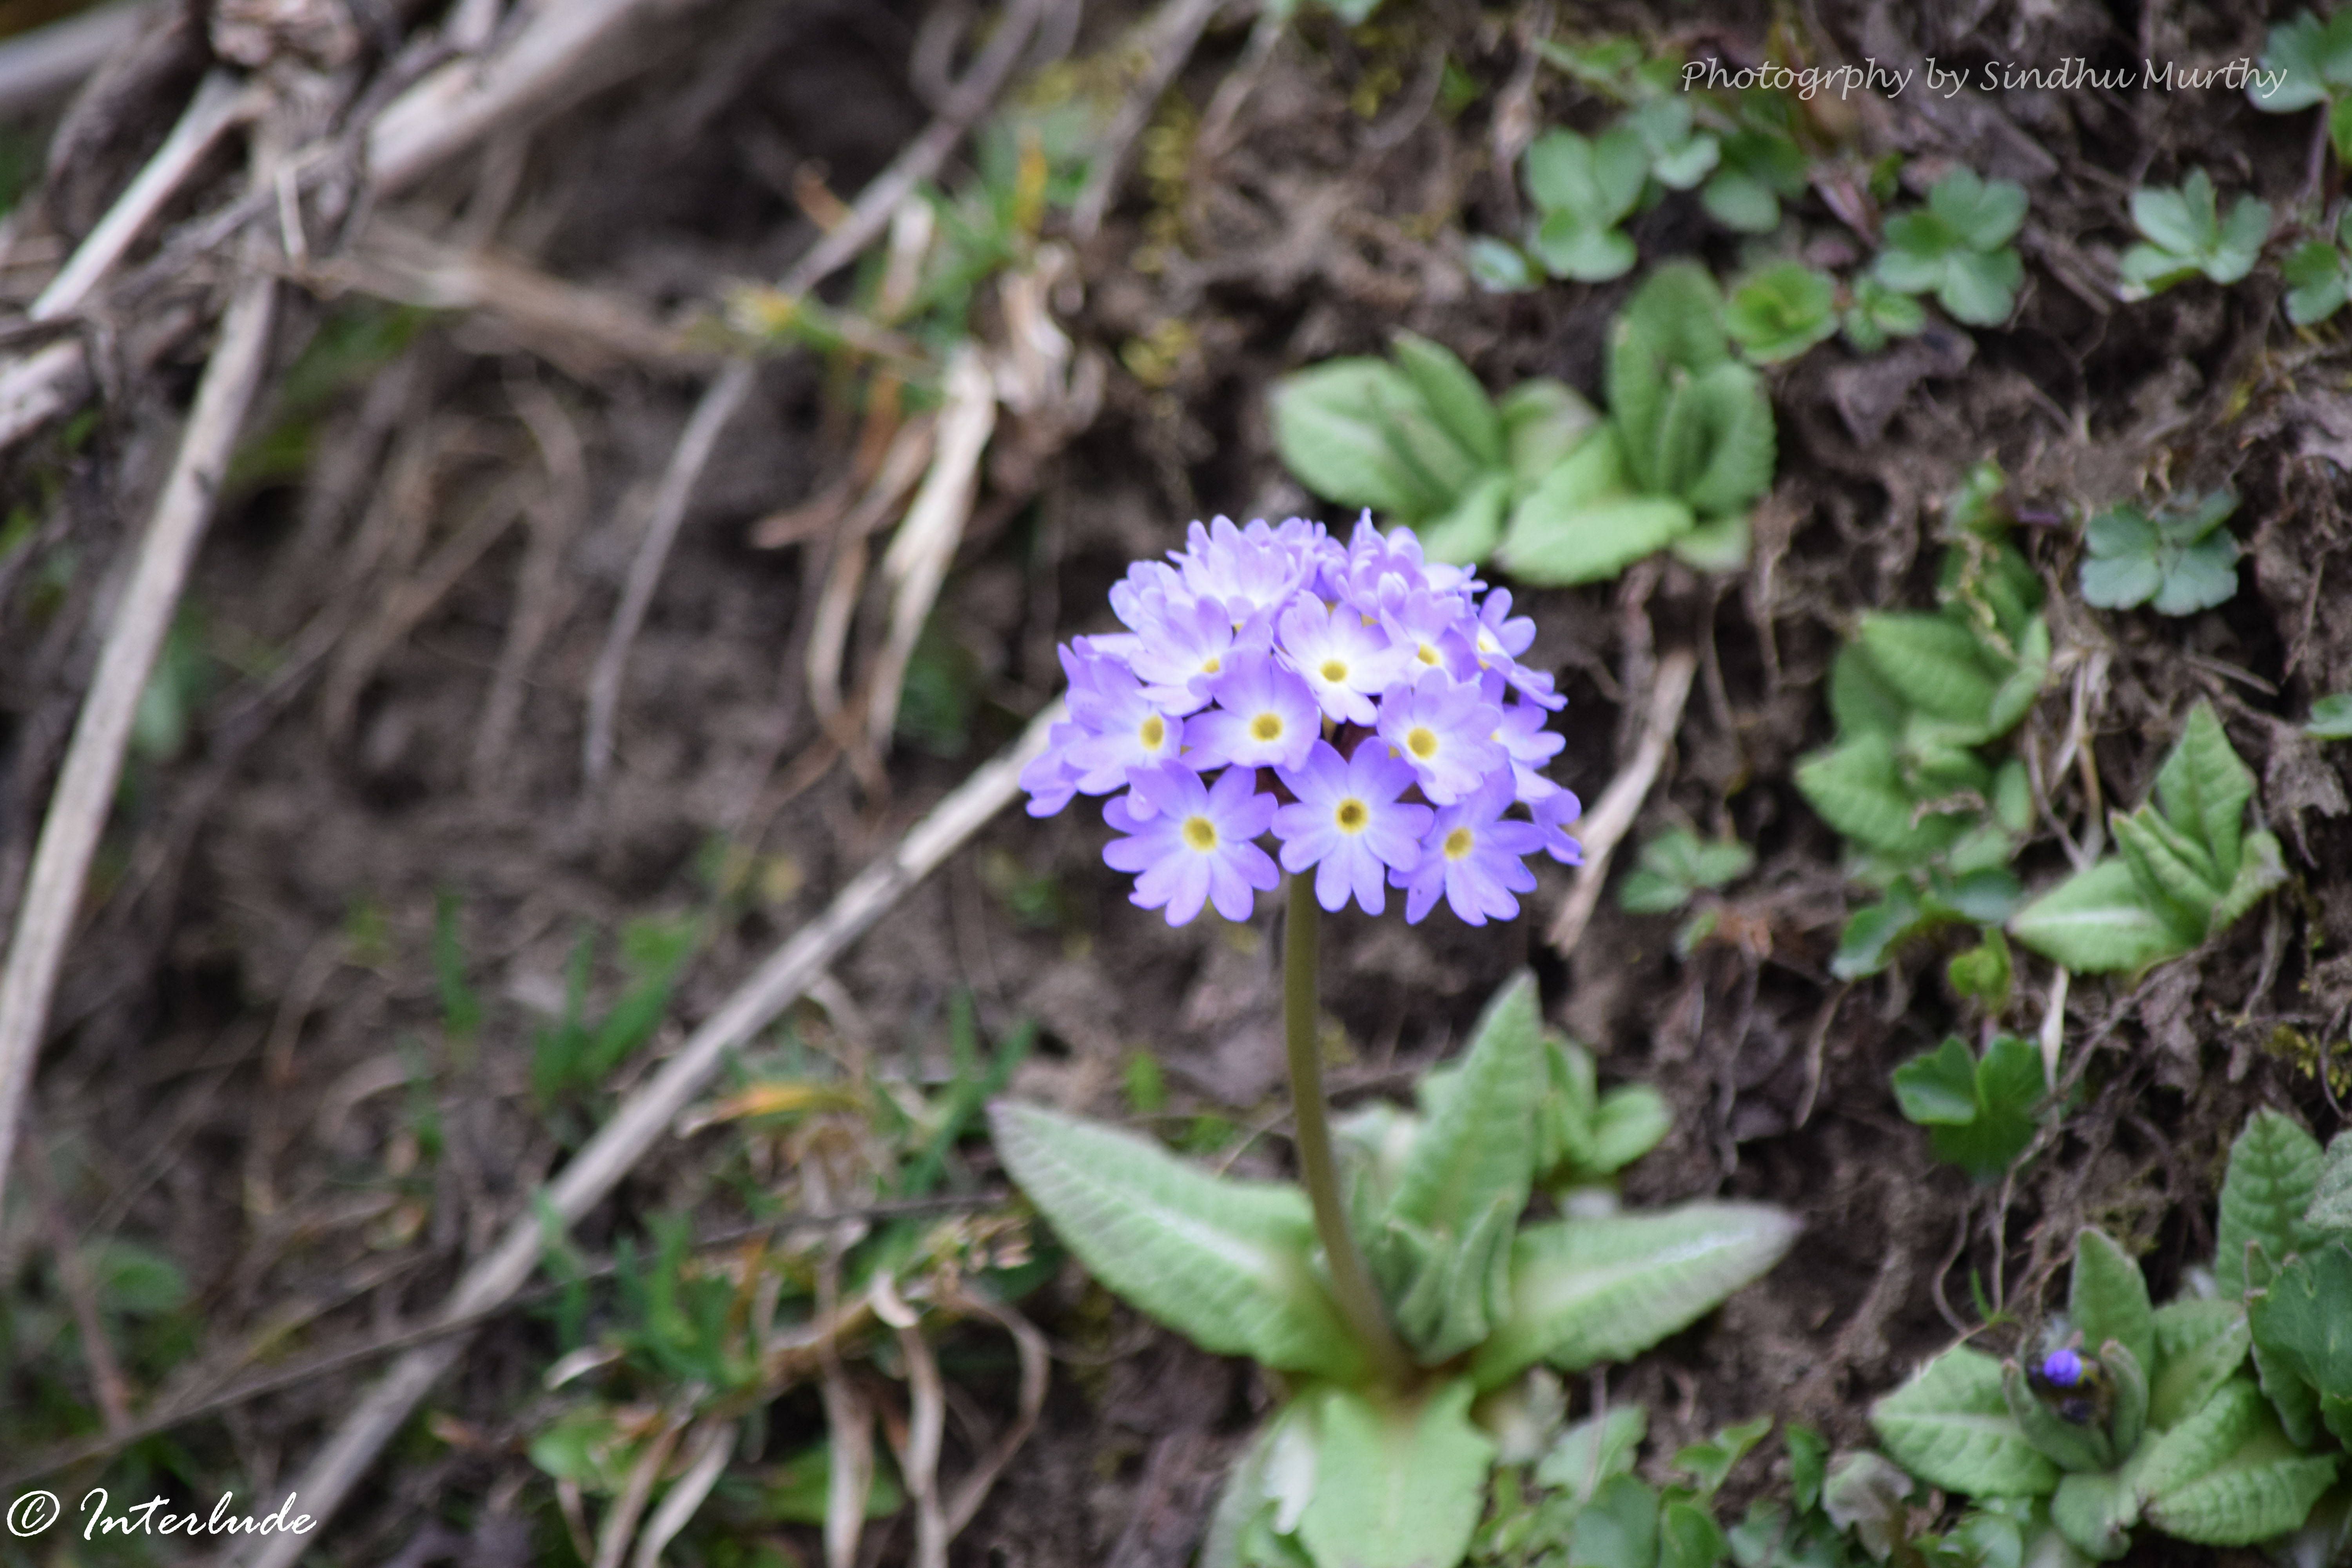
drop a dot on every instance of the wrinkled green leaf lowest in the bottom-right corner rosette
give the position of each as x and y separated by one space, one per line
2229 1475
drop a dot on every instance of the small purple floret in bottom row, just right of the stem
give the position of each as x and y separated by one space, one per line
1349 824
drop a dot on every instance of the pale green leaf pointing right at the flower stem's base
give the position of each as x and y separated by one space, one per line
1608 1287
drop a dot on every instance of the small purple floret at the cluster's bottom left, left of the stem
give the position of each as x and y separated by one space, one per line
1196 845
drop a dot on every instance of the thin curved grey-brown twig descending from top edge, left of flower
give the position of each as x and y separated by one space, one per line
867 220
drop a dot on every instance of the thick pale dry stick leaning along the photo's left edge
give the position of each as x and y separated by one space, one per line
86 786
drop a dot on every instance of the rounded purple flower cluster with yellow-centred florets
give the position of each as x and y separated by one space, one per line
1384 692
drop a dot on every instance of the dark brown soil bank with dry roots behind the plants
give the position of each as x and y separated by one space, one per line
450 516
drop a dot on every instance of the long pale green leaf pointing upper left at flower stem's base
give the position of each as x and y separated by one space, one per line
1224 1264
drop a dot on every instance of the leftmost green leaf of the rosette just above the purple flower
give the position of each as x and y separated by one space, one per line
1332 429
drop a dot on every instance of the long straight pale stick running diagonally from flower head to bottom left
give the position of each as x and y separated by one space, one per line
650 1111
